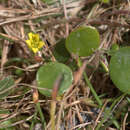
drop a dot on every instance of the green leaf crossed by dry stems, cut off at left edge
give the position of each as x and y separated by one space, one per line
5 84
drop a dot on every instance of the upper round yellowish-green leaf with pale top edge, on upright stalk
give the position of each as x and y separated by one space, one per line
83 41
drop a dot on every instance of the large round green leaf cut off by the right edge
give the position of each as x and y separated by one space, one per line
120 69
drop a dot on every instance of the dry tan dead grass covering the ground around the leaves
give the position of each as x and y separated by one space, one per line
54 22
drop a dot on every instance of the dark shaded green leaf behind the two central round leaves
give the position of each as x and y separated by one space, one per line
60 52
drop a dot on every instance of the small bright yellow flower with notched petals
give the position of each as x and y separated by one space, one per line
34 42
